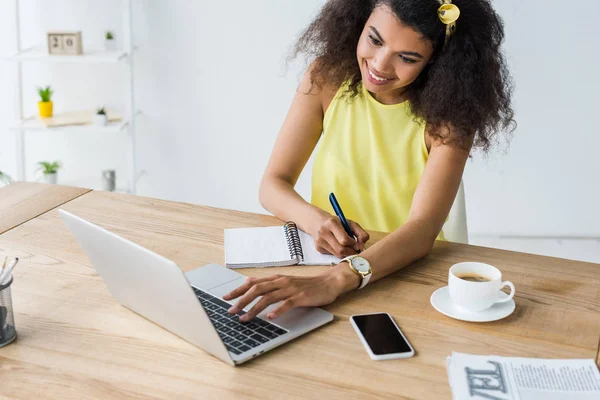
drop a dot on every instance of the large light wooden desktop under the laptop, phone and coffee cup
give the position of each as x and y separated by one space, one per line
74 339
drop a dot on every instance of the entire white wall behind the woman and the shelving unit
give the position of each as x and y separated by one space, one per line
212 83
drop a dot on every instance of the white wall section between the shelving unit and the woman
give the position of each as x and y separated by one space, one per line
219 71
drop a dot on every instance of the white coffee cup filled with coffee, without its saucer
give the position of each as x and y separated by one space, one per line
476 286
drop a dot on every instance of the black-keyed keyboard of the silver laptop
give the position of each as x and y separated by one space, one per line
237 336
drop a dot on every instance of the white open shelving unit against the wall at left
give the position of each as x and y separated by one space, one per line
127 125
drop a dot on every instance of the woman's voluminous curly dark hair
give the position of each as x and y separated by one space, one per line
467 85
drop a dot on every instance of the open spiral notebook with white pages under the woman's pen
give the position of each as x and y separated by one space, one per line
274 246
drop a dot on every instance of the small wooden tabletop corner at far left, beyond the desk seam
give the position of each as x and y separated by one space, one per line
22 201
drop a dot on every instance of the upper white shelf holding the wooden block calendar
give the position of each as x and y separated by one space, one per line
89 57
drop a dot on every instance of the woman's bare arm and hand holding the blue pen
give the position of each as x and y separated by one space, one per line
297 139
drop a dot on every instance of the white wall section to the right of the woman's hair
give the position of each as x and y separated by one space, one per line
547 184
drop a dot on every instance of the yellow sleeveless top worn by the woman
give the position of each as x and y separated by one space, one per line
372 156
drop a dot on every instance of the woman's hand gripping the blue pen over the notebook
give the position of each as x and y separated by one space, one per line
331 238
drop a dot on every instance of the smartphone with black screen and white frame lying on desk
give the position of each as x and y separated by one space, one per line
381 337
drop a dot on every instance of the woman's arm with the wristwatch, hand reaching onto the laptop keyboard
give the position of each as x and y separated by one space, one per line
431 204
